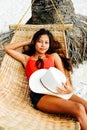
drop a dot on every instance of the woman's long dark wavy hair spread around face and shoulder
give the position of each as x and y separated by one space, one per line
55 46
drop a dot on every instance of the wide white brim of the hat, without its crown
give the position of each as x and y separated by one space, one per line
36 86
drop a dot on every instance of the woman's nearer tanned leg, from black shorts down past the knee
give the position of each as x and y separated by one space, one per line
54 104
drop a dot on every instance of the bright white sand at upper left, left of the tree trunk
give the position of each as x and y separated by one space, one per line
11 11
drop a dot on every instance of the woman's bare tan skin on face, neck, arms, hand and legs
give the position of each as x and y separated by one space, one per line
75 106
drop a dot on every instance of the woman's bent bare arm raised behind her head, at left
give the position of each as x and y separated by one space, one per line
11 50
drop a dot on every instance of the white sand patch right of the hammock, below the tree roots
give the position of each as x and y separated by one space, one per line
79 78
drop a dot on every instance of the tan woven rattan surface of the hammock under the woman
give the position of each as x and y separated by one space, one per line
16 111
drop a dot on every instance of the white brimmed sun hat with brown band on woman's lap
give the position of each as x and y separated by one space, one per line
46 81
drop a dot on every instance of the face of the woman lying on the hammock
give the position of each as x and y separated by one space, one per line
42 44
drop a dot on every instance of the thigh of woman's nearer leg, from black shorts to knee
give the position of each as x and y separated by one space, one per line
53 104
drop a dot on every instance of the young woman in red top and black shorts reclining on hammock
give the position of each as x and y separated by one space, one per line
42 52
